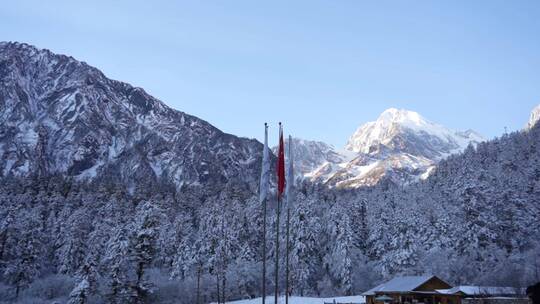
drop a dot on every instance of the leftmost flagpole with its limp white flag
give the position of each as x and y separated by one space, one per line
263 189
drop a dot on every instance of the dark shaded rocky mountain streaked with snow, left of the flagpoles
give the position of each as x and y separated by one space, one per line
59 115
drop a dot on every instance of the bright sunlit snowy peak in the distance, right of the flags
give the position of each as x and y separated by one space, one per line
400 145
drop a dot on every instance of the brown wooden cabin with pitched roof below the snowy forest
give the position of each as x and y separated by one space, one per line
412 290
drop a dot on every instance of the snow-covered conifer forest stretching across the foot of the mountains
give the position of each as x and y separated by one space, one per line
473 221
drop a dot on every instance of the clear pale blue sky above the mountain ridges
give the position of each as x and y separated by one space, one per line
321 67
